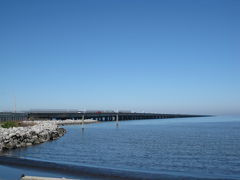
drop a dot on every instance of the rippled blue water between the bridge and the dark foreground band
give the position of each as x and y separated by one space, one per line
207 147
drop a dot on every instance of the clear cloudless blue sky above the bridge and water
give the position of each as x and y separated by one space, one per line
172 56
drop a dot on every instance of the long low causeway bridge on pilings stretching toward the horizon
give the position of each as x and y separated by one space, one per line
100 116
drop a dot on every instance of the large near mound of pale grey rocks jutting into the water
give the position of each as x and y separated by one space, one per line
17 137
